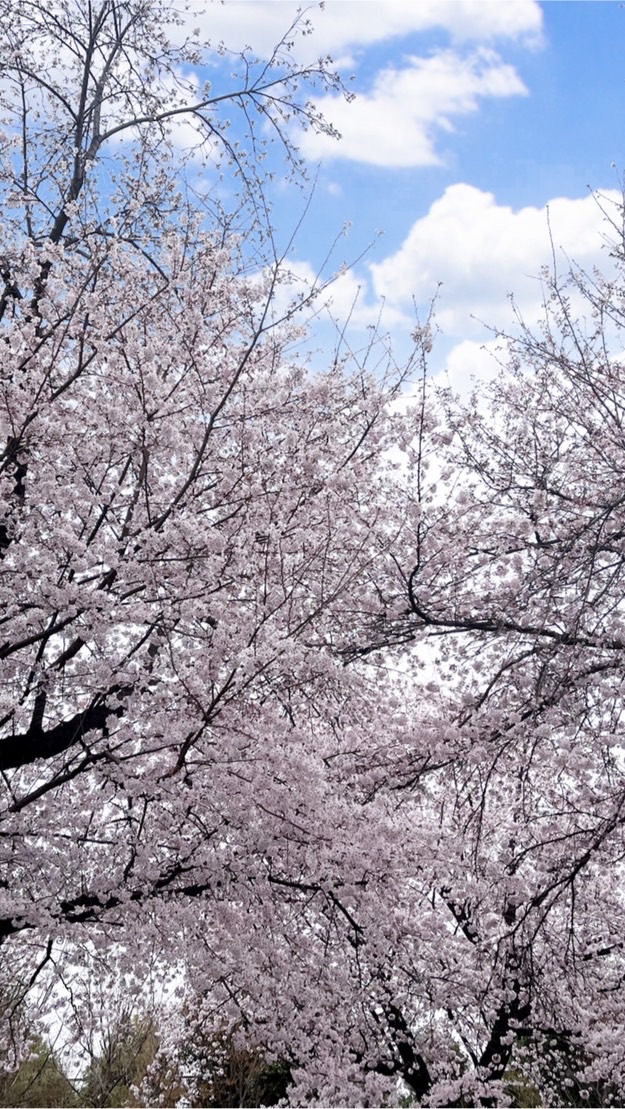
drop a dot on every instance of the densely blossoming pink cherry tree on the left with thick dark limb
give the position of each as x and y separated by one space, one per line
197 536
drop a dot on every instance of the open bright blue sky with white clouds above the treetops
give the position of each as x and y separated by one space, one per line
470 119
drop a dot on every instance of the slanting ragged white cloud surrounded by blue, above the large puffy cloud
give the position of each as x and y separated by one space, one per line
395 124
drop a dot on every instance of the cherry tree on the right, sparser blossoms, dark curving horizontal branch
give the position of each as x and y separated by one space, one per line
518 578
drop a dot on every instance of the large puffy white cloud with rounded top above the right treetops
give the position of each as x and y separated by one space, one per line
480 252
